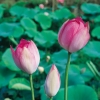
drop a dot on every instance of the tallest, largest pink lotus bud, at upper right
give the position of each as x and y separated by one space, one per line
74 34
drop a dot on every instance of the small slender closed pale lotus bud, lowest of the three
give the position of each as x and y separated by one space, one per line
52 83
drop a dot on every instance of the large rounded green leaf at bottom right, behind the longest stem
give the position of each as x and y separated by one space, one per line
78 92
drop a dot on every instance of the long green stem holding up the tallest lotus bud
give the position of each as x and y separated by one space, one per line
66 76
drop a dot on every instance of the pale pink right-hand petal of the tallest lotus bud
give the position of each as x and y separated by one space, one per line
79 40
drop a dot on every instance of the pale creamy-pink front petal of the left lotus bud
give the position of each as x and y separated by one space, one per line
27 61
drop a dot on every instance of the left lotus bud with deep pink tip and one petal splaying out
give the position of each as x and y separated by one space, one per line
26 56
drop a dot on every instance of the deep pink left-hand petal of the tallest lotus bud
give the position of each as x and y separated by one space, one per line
67 32
